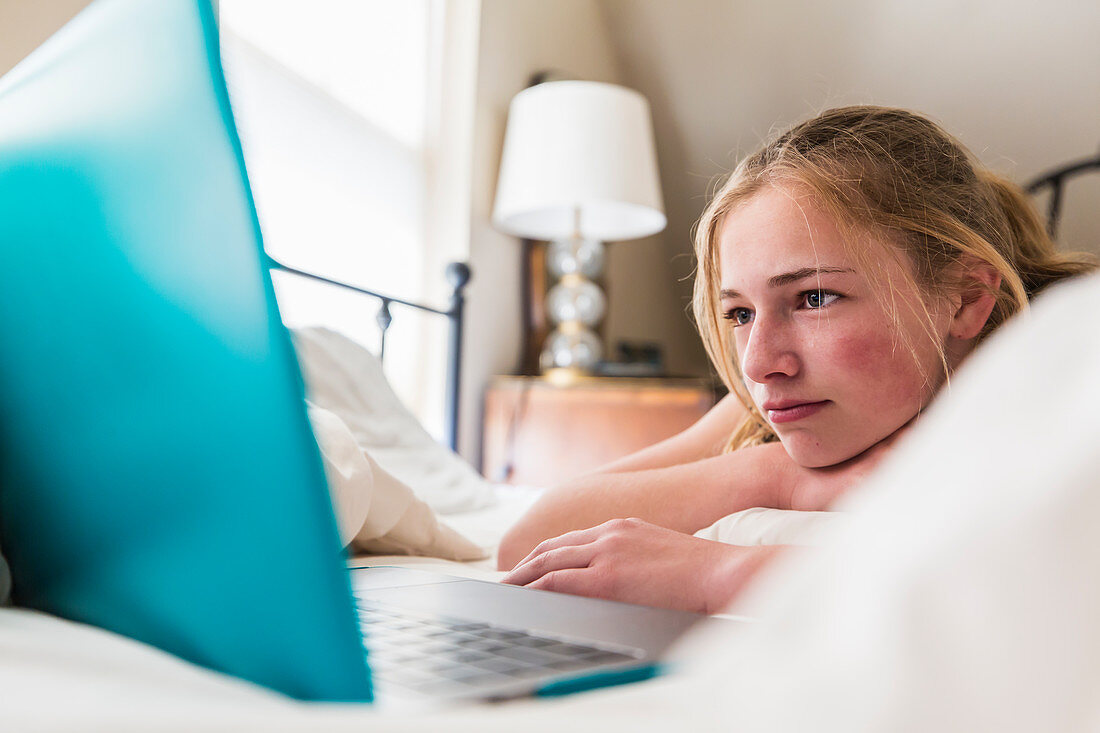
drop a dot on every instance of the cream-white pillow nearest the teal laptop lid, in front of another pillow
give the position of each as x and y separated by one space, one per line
376 512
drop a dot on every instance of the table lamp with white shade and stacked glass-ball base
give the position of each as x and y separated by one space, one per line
579 169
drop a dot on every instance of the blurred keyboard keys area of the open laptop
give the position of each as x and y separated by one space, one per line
437 655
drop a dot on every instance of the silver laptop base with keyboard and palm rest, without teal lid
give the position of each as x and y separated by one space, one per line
447 637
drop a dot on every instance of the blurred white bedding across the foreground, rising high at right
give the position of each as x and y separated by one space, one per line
962 597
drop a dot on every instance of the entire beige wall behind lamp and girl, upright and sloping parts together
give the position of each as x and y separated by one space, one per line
1017 82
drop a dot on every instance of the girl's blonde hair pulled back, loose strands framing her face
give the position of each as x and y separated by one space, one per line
886 177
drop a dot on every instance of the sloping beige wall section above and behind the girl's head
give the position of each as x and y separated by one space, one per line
1018 82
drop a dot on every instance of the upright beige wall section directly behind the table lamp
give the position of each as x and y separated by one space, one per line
569 38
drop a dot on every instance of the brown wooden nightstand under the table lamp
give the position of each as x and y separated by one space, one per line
541 434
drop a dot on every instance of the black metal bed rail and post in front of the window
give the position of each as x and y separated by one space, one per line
458 276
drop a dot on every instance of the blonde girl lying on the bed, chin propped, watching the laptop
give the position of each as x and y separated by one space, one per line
845 271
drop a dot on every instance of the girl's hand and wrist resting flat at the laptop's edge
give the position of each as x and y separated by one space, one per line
640 563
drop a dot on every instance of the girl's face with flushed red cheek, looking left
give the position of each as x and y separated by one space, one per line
828 366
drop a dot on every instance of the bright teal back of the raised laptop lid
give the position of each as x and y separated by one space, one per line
159 477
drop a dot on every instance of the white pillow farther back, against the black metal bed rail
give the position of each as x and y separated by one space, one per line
347 380
